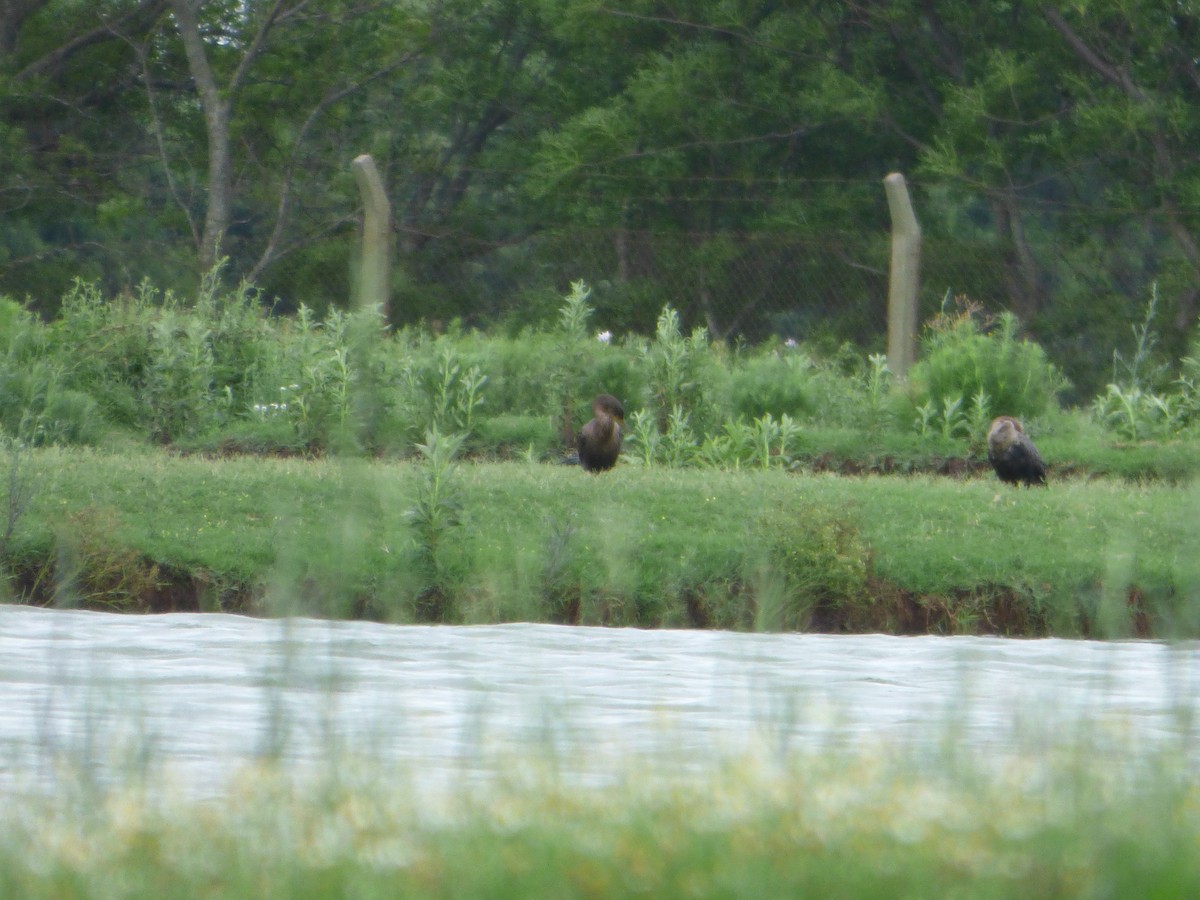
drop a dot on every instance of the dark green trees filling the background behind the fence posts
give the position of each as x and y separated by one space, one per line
722 158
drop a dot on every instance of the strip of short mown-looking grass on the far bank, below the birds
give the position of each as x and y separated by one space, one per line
142 530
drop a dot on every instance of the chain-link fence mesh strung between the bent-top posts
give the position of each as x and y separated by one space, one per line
1078 277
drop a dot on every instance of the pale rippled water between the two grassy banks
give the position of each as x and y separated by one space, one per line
202 695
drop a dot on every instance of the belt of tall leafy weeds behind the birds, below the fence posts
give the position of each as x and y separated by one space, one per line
220 373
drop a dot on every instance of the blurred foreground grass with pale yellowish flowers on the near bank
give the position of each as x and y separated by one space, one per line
867 825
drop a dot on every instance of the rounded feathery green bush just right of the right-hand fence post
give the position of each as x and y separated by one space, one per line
967 371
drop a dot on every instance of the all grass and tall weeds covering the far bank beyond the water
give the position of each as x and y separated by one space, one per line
206 455
